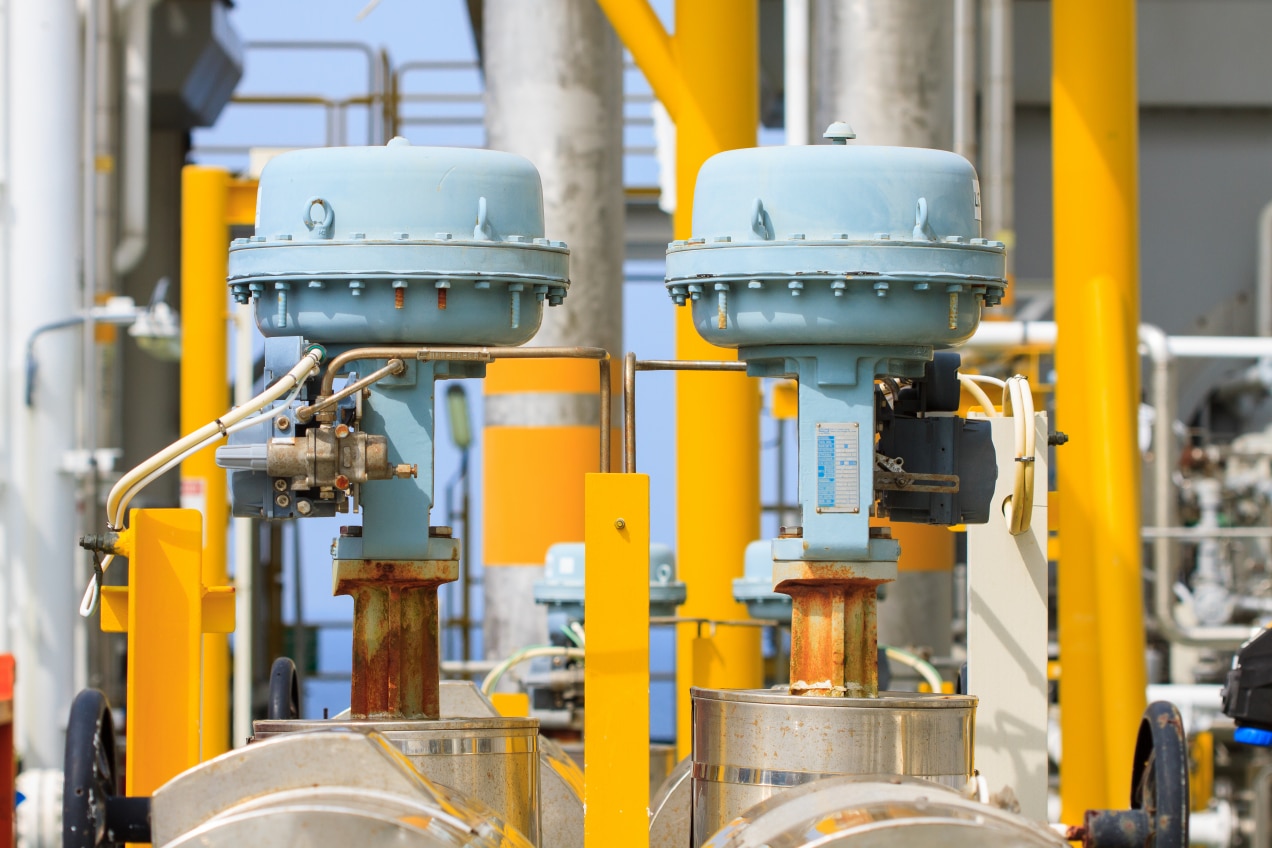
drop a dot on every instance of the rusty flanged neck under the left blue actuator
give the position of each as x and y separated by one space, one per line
396 664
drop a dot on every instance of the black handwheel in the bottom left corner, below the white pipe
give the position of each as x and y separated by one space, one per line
91 777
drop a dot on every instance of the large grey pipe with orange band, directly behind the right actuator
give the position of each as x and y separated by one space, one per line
887 68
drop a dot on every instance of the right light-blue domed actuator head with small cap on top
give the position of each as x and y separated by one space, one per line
836 245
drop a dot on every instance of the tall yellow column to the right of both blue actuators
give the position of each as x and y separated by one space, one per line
1095 148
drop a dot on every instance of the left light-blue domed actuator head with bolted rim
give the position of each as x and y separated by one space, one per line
400 245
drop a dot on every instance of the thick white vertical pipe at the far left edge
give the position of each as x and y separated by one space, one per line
41 217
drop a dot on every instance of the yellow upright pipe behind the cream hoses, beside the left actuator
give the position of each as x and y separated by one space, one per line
205 397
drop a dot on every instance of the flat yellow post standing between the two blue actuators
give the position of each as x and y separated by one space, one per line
616 672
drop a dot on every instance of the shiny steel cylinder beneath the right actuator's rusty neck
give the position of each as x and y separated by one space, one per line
751 744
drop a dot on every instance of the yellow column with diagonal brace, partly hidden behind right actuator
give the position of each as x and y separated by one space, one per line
717 415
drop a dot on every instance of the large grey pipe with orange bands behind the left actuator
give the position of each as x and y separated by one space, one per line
554 95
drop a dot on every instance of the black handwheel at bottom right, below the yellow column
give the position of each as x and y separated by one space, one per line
1159 779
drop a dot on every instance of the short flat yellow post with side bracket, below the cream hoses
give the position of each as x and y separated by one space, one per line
166 611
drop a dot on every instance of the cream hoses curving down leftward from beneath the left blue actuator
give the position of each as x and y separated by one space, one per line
147 472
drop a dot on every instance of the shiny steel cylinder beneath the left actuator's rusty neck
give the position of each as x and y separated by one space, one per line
494 761
